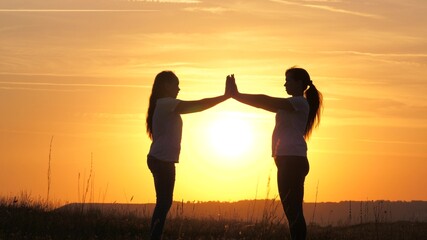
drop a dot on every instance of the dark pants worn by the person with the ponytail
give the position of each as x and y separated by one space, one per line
291 172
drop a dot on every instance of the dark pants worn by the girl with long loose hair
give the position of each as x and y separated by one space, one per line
164 182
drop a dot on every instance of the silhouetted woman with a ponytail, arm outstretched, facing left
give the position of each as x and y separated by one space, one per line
296 117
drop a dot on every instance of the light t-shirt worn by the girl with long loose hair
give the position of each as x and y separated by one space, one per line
167 131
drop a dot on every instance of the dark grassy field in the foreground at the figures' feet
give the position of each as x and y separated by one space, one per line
35 220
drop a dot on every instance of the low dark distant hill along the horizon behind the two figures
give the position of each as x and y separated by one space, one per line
325 213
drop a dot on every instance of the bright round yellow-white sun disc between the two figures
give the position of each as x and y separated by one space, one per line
230 136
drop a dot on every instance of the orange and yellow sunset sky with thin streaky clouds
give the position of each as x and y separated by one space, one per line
81 72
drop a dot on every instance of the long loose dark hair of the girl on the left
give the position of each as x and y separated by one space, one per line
157 91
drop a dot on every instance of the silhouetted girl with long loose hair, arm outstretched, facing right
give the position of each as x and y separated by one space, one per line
164 127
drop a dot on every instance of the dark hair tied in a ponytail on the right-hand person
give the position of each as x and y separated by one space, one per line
313 96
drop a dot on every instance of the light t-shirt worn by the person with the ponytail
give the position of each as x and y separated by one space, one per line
288 134
